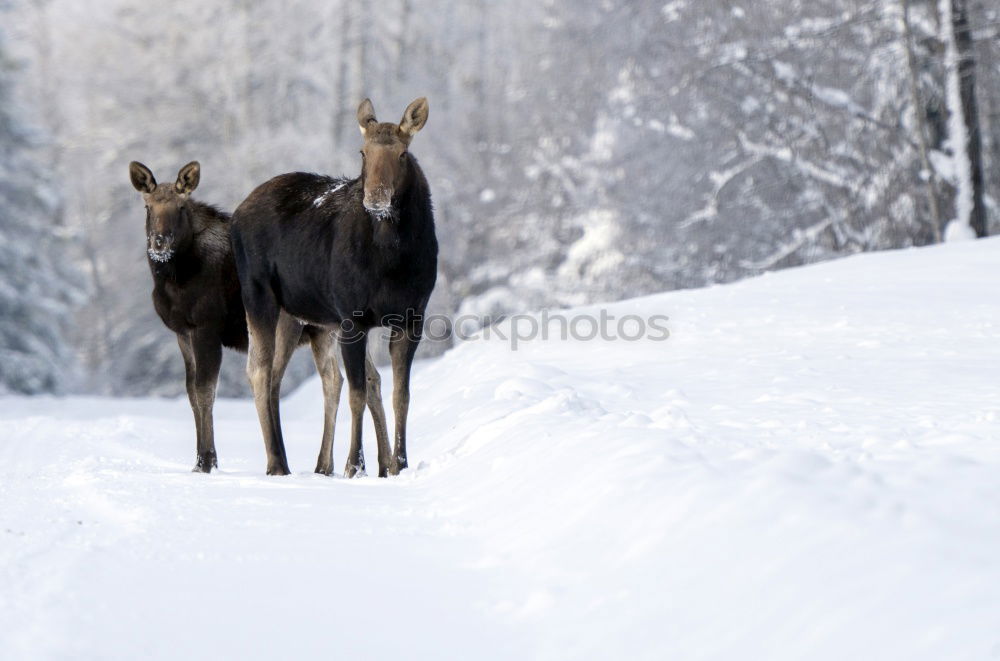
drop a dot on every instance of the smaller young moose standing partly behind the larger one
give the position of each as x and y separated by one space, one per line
196 293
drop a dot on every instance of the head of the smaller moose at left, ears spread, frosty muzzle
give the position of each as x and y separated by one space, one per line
169 218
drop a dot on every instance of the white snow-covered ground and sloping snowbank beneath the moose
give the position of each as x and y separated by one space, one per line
809 468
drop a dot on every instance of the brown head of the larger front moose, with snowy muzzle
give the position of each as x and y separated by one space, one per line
386 166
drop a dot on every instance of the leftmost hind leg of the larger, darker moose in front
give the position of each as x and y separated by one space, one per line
260 360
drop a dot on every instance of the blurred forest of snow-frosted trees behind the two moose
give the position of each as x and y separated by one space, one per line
581 152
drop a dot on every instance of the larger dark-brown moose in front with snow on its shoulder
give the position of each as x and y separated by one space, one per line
350 254
